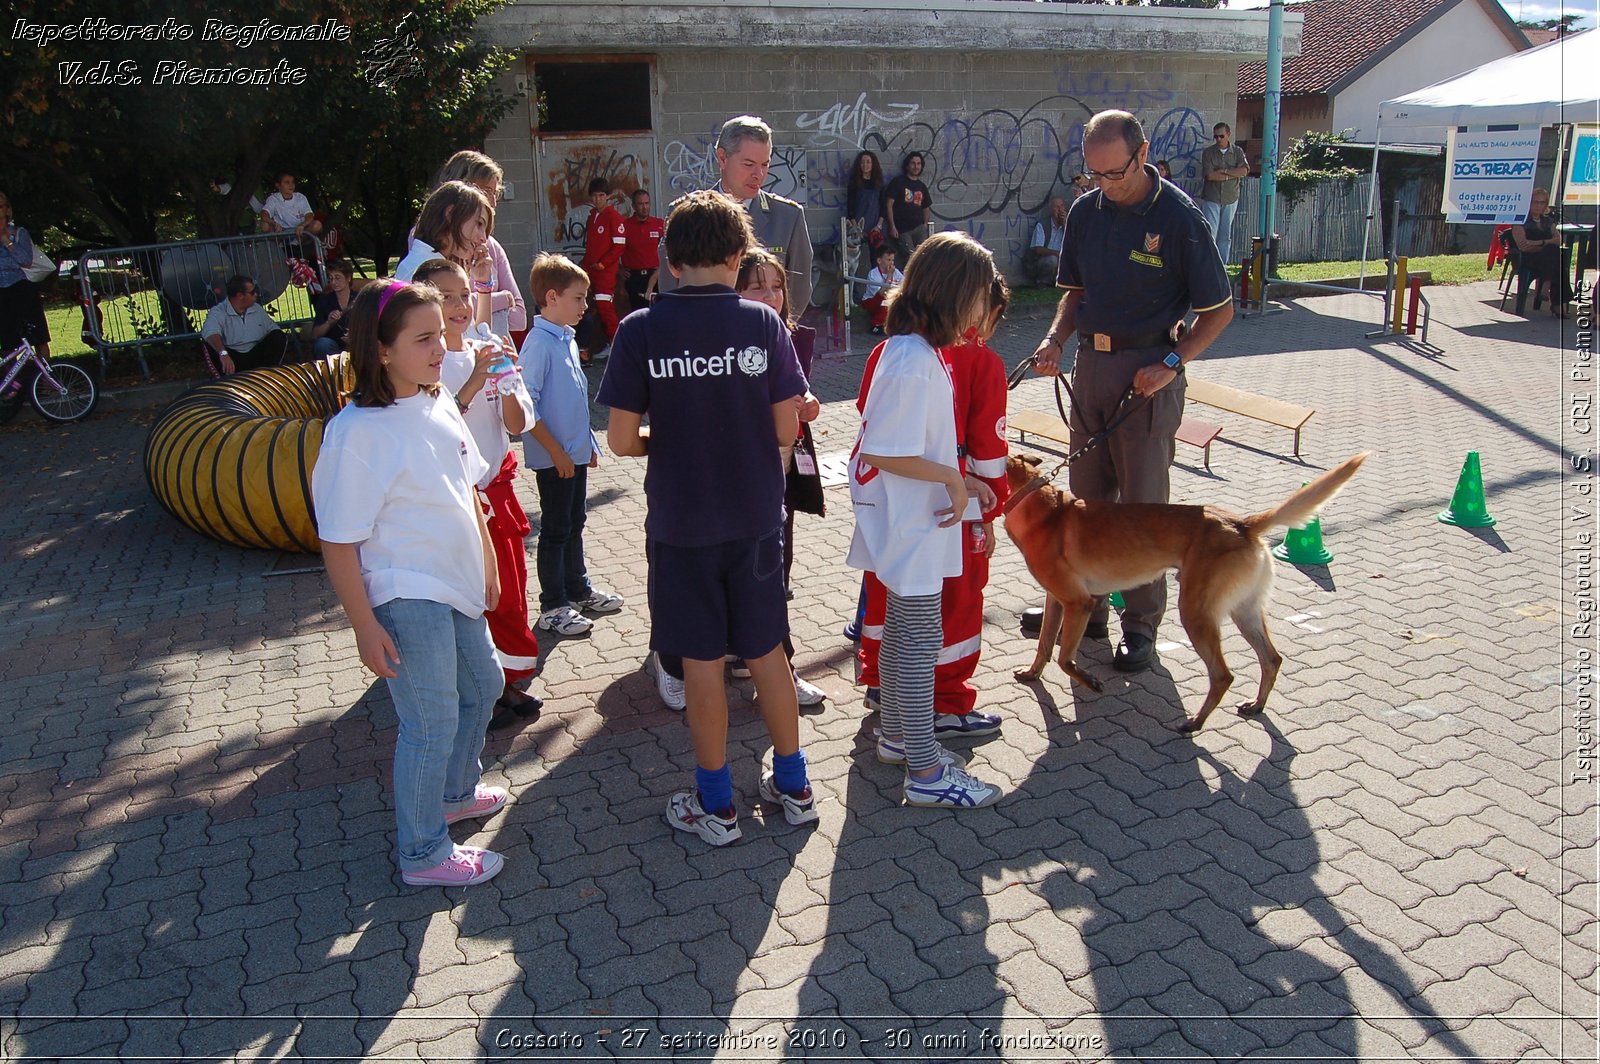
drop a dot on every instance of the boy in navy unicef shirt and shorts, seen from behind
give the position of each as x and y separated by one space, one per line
718 377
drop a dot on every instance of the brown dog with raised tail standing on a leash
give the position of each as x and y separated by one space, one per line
1079 550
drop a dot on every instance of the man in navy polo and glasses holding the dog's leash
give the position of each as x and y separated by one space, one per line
1137 258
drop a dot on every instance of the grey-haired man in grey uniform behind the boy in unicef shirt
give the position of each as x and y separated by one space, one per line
745 153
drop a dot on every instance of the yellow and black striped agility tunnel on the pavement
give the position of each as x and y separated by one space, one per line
233 460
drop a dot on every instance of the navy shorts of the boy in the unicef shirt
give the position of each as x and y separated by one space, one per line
727 598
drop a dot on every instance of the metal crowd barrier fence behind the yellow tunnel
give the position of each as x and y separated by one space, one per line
159 294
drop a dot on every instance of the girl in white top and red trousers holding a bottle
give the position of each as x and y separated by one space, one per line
482 377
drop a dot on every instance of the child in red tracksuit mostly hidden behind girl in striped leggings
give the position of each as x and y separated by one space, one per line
980 383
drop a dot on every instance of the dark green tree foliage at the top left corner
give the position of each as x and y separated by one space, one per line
364 122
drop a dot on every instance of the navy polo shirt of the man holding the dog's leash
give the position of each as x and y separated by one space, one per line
1142 268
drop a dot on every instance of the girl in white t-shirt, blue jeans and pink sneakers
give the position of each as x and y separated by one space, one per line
410 558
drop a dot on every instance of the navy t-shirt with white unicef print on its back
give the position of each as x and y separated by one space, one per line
708 369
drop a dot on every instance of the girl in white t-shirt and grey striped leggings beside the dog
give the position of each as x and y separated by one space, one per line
911 497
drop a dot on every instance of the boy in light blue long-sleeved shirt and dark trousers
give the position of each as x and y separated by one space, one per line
561 447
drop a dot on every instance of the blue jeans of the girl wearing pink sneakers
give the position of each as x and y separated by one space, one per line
444 692
